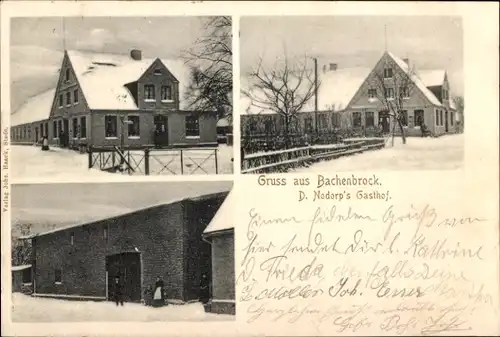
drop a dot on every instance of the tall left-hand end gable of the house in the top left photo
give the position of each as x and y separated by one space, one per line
67 84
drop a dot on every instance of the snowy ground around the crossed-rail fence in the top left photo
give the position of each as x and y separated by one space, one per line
30 162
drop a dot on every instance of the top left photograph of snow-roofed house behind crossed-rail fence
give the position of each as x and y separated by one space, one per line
94 96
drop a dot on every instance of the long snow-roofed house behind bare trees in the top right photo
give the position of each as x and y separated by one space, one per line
357 99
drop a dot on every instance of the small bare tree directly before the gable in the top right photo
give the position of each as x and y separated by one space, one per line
393 89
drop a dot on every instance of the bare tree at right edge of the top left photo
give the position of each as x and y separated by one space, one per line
211 68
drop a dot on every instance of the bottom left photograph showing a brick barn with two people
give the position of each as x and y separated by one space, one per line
97 252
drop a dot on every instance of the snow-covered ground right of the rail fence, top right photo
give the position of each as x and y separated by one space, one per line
444 153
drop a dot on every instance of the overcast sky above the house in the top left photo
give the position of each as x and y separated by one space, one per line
37 44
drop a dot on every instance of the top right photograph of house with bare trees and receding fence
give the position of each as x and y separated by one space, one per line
330 93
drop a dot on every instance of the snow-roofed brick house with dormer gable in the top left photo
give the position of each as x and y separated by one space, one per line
105 100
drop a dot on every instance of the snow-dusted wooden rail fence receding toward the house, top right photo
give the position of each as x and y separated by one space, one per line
283 160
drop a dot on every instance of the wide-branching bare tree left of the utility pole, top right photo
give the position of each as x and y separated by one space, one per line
285 89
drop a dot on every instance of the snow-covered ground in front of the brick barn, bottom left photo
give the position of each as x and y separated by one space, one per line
30 309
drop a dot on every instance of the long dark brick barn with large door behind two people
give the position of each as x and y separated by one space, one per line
162 241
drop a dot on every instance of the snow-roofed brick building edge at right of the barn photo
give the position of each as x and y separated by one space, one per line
220 234
